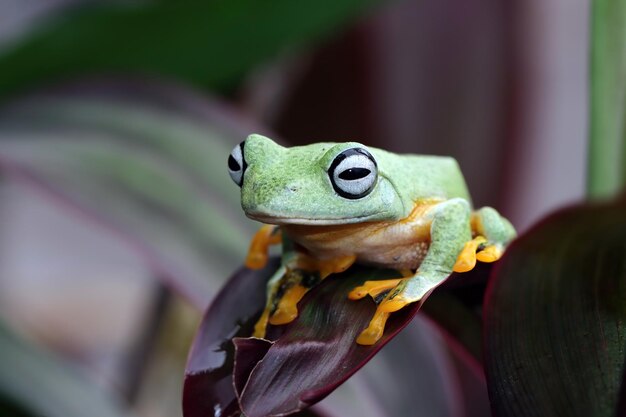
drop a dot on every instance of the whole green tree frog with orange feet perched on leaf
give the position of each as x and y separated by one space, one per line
334 204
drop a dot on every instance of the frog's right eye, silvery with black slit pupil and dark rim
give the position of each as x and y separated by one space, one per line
353 173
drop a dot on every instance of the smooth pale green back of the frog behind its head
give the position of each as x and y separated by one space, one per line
417 177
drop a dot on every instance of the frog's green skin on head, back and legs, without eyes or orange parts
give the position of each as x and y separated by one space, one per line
292 186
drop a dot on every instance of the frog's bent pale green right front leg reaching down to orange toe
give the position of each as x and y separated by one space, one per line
449 231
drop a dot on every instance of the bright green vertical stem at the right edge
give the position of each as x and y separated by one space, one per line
607 151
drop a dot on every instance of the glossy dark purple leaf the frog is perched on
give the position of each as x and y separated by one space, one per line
309 358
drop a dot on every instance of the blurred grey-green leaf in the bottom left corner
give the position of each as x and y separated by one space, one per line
35 383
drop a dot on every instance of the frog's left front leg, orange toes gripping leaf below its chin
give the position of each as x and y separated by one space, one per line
291 282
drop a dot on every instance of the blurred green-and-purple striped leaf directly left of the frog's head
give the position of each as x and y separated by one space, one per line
145 161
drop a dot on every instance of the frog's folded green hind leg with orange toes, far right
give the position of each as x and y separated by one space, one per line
496 230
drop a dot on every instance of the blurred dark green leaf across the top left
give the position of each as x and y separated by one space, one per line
208 43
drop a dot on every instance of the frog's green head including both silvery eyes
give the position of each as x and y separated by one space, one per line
319 184
